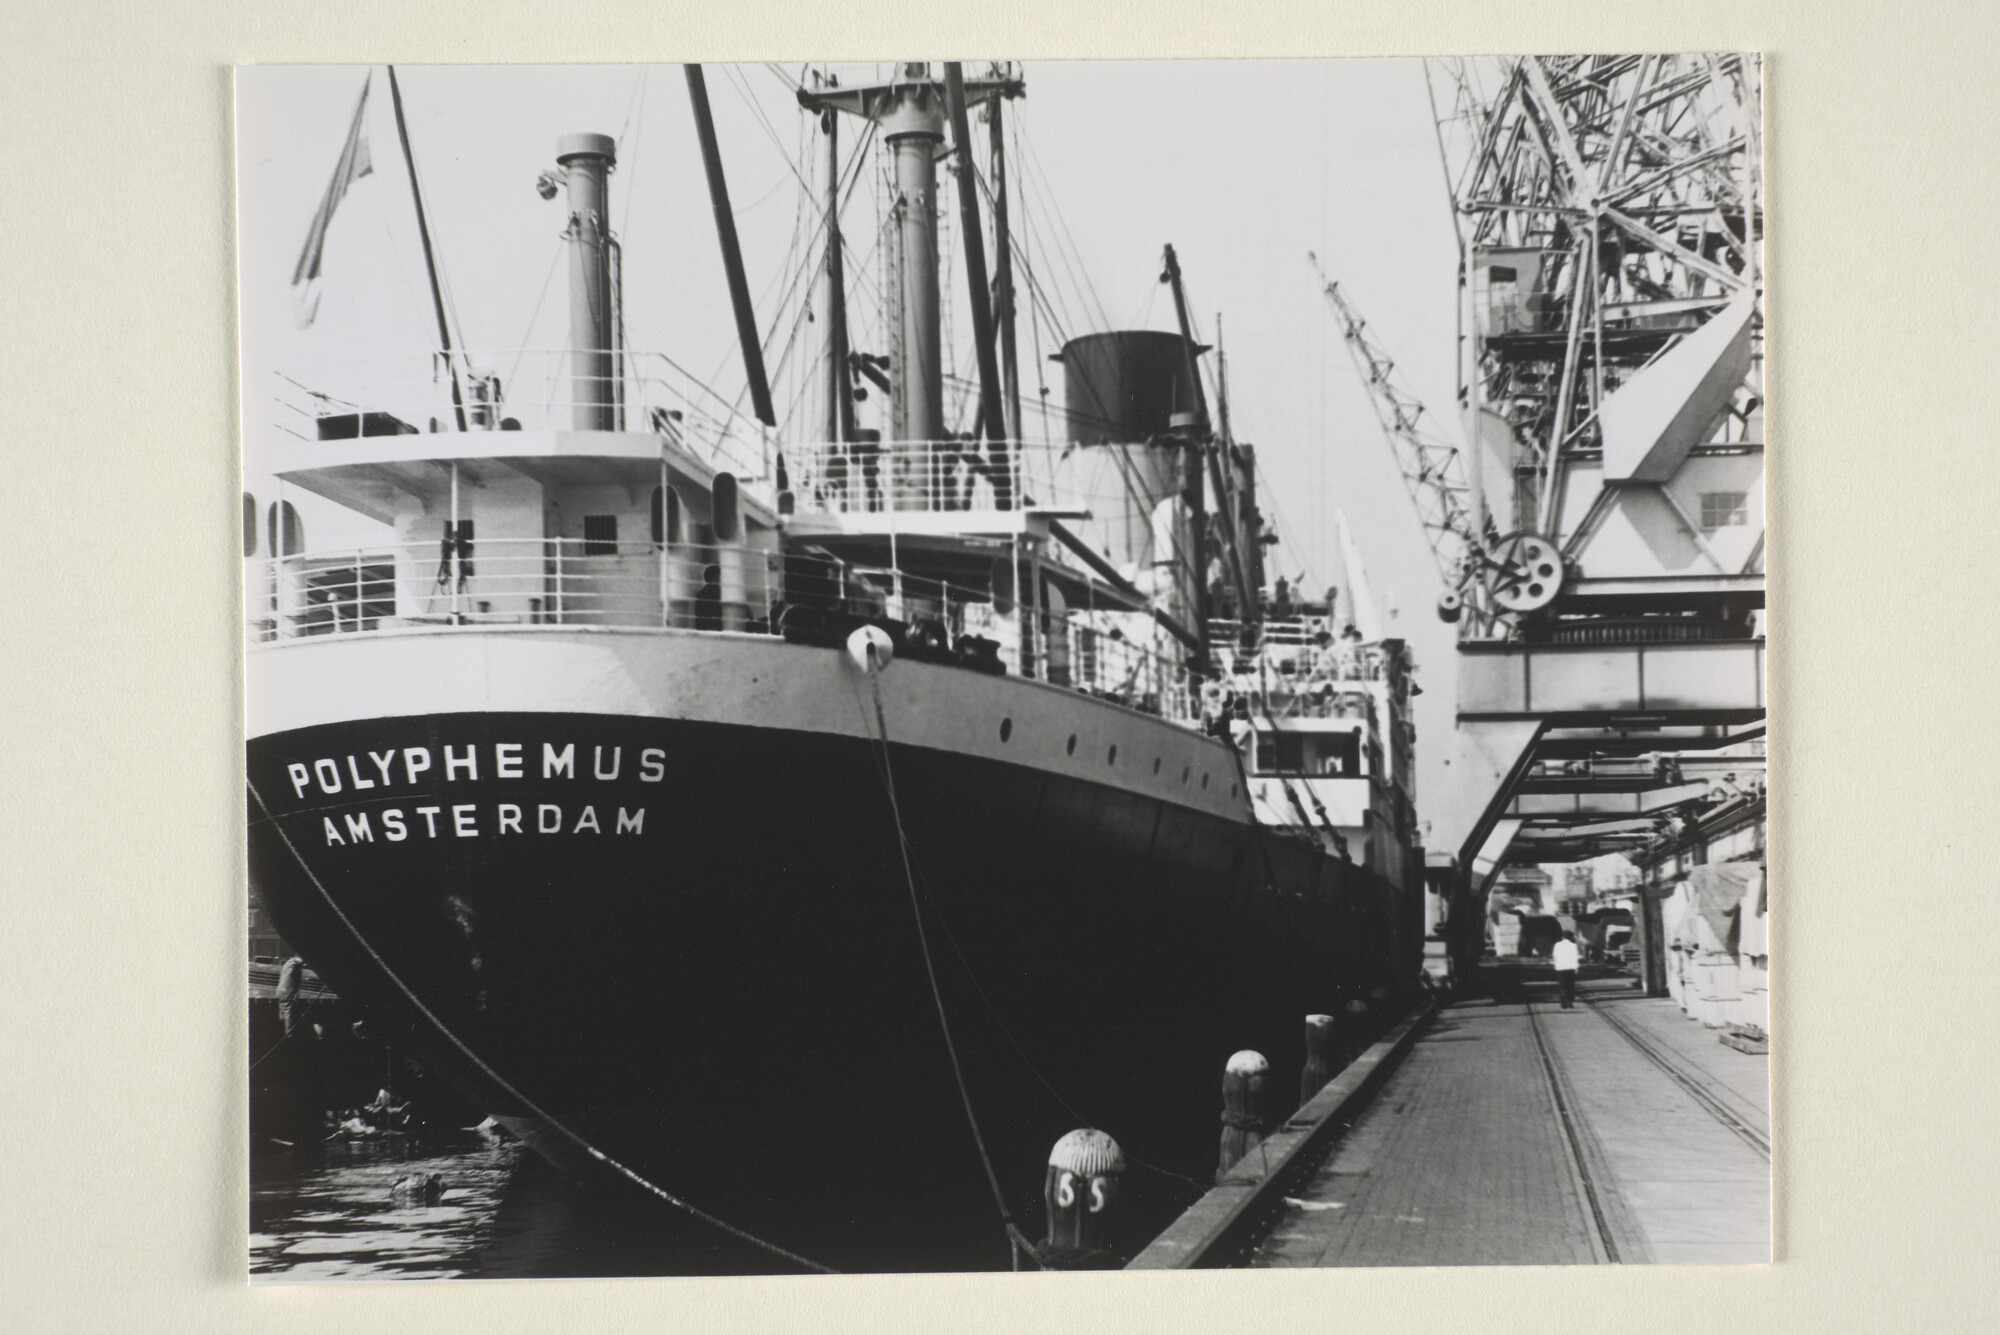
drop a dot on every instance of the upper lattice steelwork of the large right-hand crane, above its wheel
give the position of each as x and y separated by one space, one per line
1609 215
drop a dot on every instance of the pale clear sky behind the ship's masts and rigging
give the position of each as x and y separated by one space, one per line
1243 167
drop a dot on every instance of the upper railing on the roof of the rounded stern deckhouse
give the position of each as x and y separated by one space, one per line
533 391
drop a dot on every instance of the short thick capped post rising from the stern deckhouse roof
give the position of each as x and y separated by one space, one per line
585 165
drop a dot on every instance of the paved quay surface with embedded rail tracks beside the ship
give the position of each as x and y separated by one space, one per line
1521 1134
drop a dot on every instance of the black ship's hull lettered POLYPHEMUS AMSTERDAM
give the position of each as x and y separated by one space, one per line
733 996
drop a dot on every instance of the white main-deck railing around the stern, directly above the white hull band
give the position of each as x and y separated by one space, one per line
583 583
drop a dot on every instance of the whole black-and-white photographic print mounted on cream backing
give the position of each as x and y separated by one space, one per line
1005 667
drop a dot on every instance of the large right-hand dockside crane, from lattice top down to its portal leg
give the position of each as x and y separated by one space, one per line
1609 219
